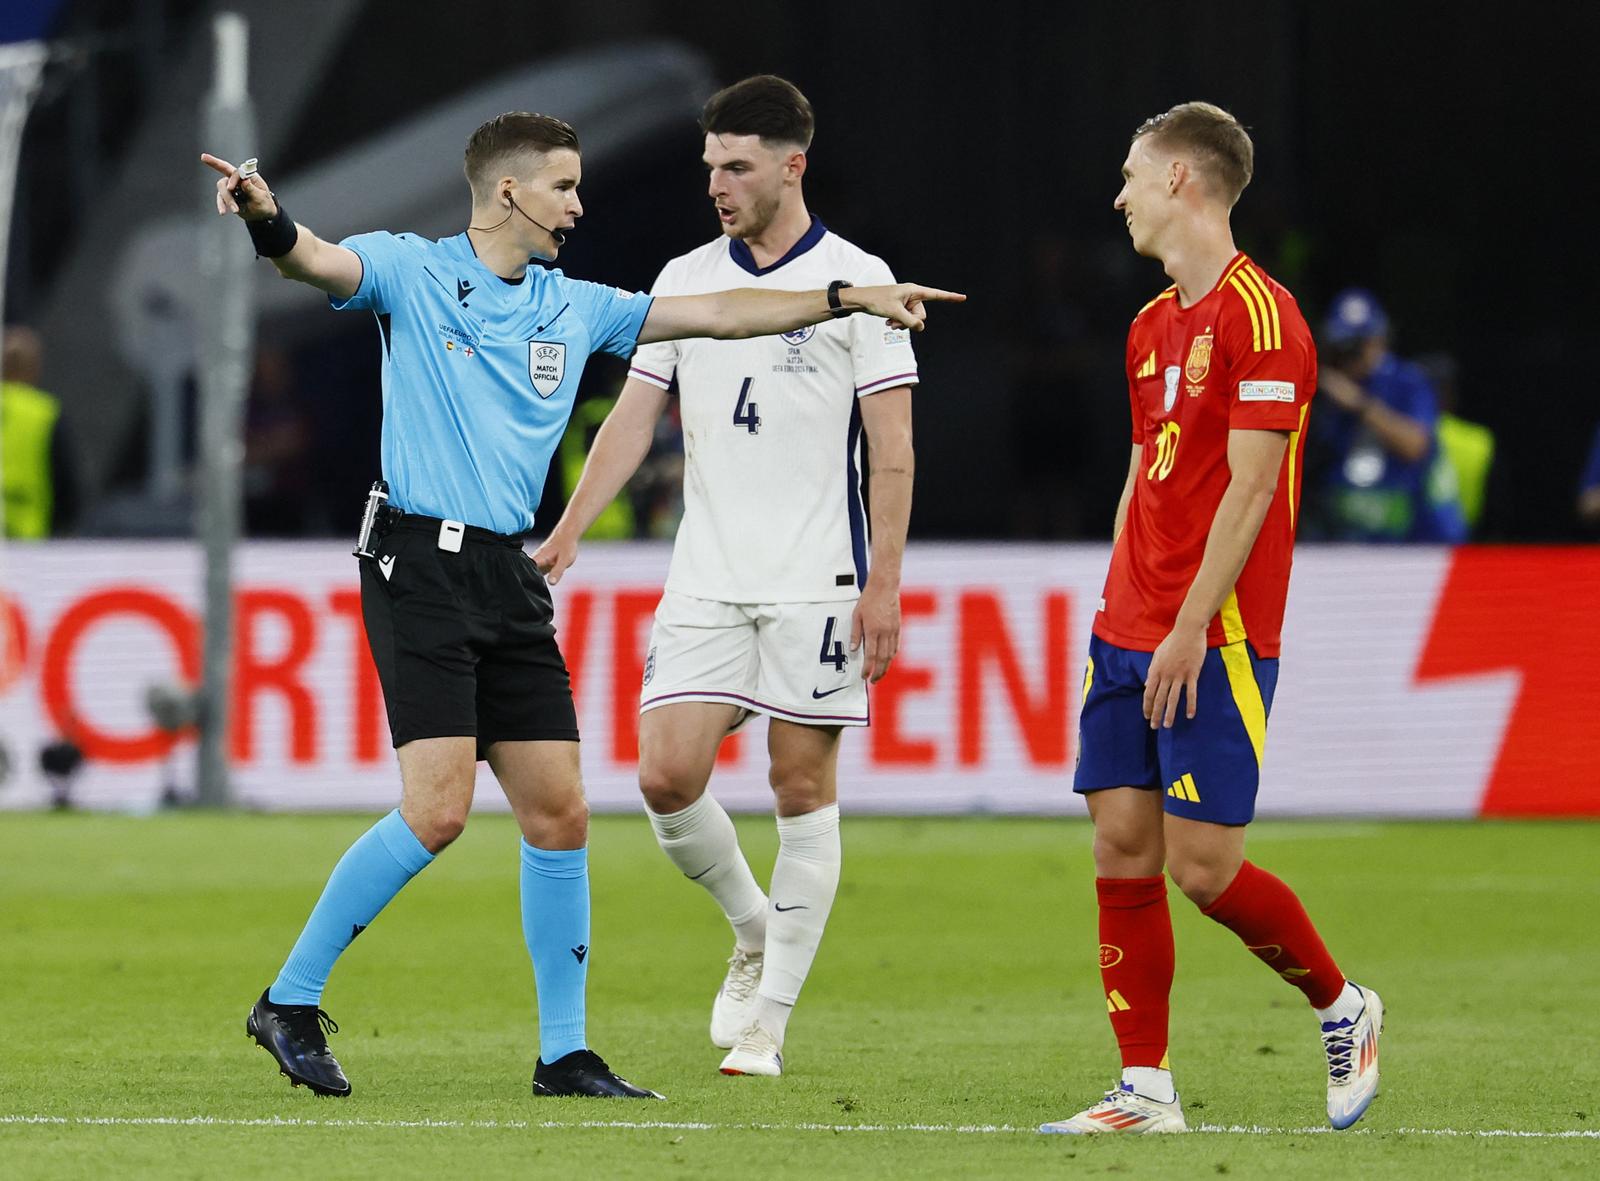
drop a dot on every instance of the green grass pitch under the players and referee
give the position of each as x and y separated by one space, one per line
958 987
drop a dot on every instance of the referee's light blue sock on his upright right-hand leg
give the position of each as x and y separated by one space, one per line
556 926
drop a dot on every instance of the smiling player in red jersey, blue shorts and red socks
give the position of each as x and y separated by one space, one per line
1185 655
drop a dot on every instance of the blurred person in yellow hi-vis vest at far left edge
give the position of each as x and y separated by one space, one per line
36 454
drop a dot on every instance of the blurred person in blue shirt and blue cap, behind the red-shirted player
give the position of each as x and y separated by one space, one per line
1378 436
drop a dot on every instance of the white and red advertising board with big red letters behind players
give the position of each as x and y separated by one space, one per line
1415 683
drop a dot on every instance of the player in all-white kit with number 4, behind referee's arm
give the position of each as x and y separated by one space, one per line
769 607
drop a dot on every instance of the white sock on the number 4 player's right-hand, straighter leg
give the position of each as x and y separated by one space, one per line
806 881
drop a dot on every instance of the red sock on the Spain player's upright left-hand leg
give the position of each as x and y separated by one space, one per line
1137 964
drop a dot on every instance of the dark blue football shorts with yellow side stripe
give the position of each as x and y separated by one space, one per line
1207 767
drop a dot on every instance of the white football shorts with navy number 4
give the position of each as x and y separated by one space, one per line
791 662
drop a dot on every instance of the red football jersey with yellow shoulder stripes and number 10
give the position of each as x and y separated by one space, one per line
1242 358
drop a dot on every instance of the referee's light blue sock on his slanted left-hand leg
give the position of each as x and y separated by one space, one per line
370 873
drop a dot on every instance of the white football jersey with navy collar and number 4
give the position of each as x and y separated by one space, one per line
772 431
